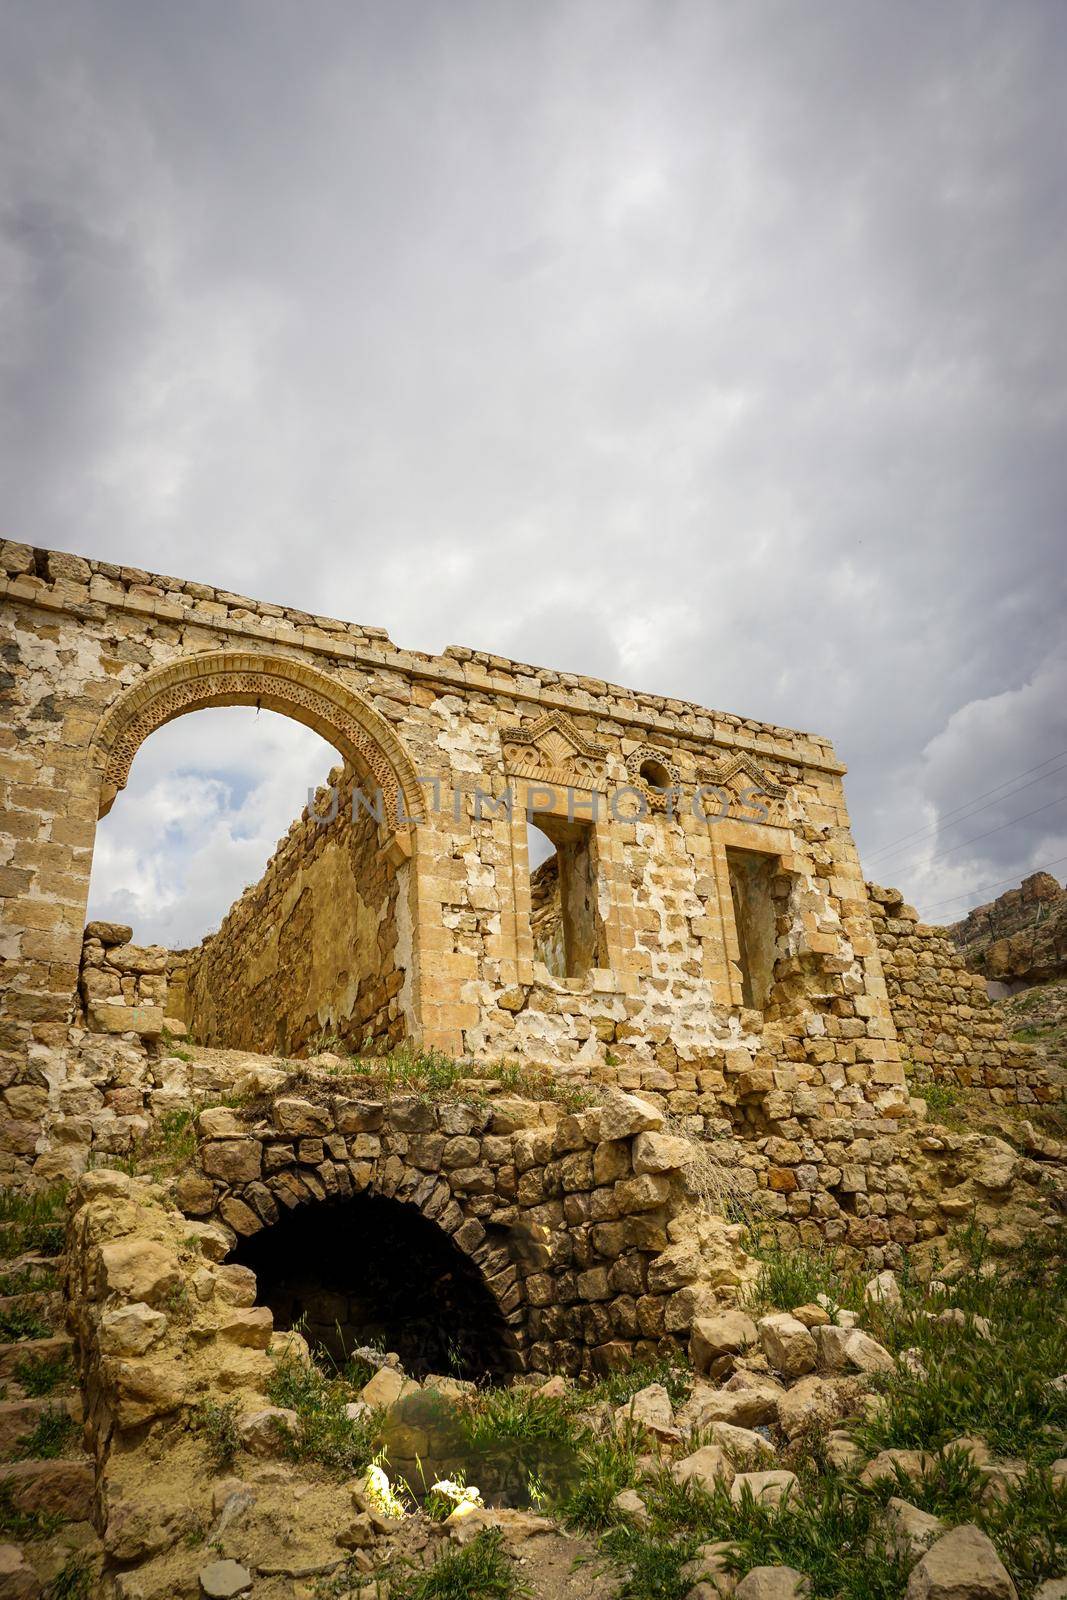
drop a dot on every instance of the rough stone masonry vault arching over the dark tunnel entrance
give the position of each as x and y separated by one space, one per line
580 1223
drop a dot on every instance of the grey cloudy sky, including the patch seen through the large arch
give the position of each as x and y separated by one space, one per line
713 348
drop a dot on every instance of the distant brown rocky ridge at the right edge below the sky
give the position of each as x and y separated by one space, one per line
1021 937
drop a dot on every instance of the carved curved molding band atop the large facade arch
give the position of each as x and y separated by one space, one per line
276 684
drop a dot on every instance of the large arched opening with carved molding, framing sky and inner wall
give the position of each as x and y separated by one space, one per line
318 950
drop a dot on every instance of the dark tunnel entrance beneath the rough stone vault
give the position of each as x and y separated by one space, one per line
375 1271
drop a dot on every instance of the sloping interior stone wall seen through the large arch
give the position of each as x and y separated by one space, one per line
311 951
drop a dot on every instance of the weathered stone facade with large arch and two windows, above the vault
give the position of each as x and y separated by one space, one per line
709 934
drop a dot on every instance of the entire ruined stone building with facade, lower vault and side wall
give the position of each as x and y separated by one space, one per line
703 935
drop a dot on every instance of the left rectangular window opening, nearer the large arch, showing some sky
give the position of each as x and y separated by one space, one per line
565 918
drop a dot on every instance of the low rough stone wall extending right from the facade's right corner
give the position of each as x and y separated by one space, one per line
949 1030
